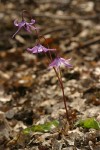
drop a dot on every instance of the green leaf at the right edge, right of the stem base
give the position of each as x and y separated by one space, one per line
88 123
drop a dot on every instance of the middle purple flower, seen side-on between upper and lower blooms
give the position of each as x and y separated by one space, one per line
38 49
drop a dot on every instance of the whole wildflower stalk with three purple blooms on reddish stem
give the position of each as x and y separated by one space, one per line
38 48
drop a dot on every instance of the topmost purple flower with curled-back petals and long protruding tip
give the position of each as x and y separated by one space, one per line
23 24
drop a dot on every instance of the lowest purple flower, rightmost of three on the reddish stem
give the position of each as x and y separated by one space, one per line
60 62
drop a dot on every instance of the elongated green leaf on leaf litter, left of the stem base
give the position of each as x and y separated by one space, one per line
42 127
